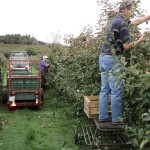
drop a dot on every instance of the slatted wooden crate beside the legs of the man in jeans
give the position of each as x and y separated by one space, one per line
91 106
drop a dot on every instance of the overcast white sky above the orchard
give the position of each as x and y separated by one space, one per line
44 18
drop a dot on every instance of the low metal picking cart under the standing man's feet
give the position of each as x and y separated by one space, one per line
104 135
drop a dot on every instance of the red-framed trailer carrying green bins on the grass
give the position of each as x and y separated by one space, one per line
23 84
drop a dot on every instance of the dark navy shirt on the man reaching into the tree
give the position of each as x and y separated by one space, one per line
117 34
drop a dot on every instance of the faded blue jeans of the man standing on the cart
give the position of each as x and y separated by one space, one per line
110 84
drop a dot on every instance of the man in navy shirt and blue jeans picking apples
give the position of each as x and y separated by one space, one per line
117 41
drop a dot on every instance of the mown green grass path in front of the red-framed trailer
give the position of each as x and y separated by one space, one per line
50 128
